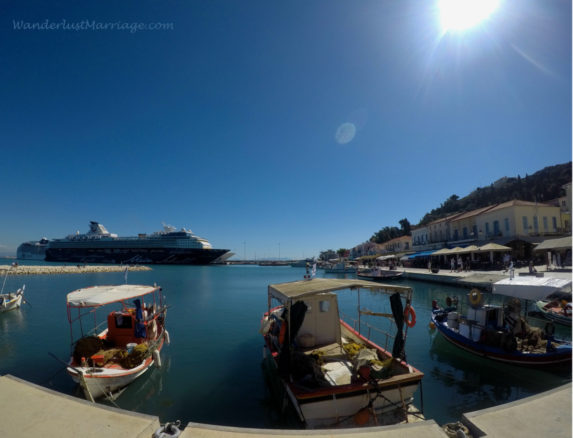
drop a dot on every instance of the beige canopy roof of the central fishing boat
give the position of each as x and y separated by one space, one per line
297 289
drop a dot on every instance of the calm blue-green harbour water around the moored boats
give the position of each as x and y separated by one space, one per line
212 370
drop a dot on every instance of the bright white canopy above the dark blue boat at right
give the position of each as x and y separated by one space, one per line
530 288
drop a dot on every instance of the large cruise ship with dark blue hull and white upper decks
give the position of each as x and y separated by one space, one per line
168 246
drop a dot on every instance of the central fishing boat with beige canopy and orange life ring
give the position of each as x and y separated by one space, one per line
329 370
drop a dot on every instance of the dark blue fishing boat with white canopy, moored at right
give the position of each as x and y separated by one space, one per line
501 333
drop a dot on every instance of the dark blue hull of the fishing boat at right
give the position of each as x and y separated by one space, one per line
562 355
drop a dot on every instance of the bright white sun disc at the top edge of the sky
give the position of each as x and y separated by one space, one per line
463 14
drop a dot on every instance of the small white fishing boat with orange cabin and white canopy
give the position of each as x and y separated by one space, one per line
106 361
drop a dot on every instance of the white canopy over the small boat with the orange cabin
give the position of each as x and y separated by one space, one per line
101 295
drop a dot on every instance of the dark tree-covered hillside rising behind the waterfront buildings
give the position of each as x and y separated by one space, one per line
543 186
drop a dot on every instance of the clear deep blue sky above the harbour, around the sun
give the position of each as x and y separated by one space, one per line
267 126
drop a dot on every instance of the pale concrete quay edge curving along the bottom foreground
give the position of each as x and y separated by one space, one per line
30 411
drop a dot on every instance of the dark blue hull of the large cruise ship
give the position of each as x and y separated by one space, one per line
167 256
